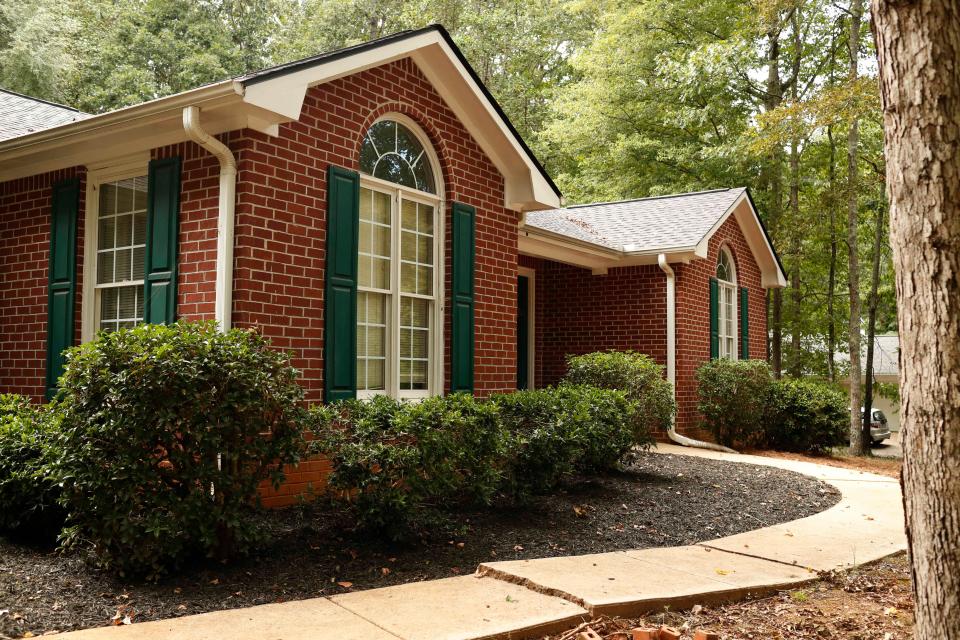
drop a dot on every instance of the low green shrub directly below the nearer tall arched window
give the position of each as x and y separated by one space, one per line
395 462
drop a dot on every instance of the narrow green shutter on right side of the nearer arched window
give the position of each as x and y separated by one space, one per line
464 255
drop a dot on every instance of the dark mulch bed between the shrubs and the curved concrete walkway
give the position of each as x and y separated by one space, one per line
661 501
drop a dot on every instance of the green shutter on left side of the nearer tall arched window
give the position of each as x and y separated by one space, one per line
340 293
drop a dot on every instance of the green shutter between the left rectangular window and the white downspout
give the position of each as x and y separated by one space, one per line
163 213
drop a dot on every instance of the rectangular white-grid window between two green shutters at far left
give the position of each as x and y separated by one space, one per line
121 246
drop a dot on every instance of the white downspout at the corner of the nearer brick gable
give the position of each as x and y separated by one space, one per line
223 304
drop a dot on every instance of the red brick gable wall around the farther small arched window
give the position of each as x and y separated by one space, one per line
693 316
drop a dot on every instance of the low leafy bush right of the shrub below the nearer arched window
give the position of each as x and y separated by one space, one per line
556 431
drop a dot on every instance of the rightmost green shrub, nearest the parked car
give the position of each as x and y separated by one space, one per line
806 416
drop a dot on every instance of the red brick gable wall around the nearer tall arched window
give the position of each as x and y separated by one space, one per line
281 217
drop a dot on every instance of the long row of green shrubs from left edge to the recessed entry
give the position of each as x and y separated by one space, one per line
153 451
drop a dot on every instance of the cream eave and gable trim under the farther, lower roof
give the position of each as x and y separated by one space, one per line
540 243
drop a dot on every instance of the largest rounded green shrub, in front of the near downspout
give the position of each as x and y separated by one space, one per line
166 433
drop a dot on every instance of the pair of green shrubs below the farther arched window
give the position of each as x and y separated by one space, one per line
742 405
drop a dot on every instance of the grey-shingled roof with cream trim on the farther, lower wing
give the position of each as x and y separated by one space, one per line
630 232
